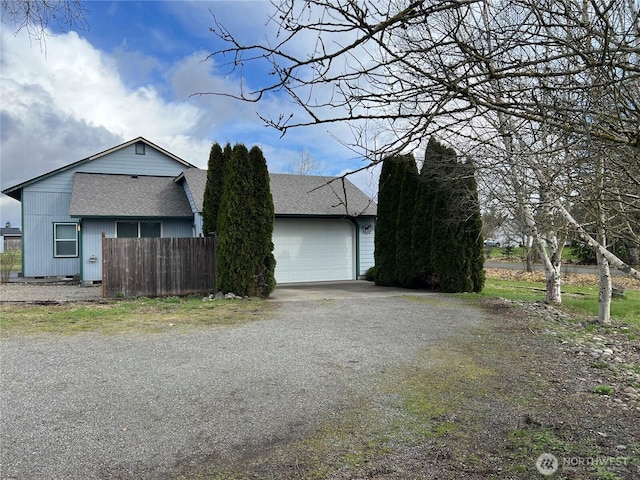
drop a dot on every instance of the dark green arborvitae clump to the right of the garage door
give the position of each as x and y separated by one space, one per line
428 231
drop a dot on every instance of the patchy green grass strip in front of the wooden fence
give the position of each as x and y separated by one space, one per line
115 317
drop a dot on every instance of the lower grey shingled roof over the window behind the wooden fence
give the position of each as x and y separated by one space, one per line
104 195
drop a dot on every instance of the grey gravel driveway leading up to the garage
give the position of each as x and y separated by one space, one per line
147 405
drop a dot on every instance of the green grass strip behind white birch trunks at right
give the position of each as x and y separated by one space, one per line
579 300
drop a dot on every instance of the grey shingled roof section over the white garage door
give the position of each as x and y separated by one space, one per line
299 194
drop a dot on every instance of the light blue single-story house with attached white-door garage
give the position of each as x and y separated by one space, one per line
324 226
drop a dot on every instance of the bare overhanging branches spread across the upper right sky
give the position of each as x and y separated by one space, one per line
425 64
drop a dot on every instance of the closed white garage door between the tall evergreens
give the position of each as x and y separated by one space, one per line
313 250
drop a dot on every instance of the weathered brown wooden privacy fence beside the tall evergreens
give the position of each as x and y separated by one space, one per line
157 267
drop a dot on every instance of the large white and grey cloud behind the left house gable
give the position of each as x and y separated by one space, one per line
71 103
